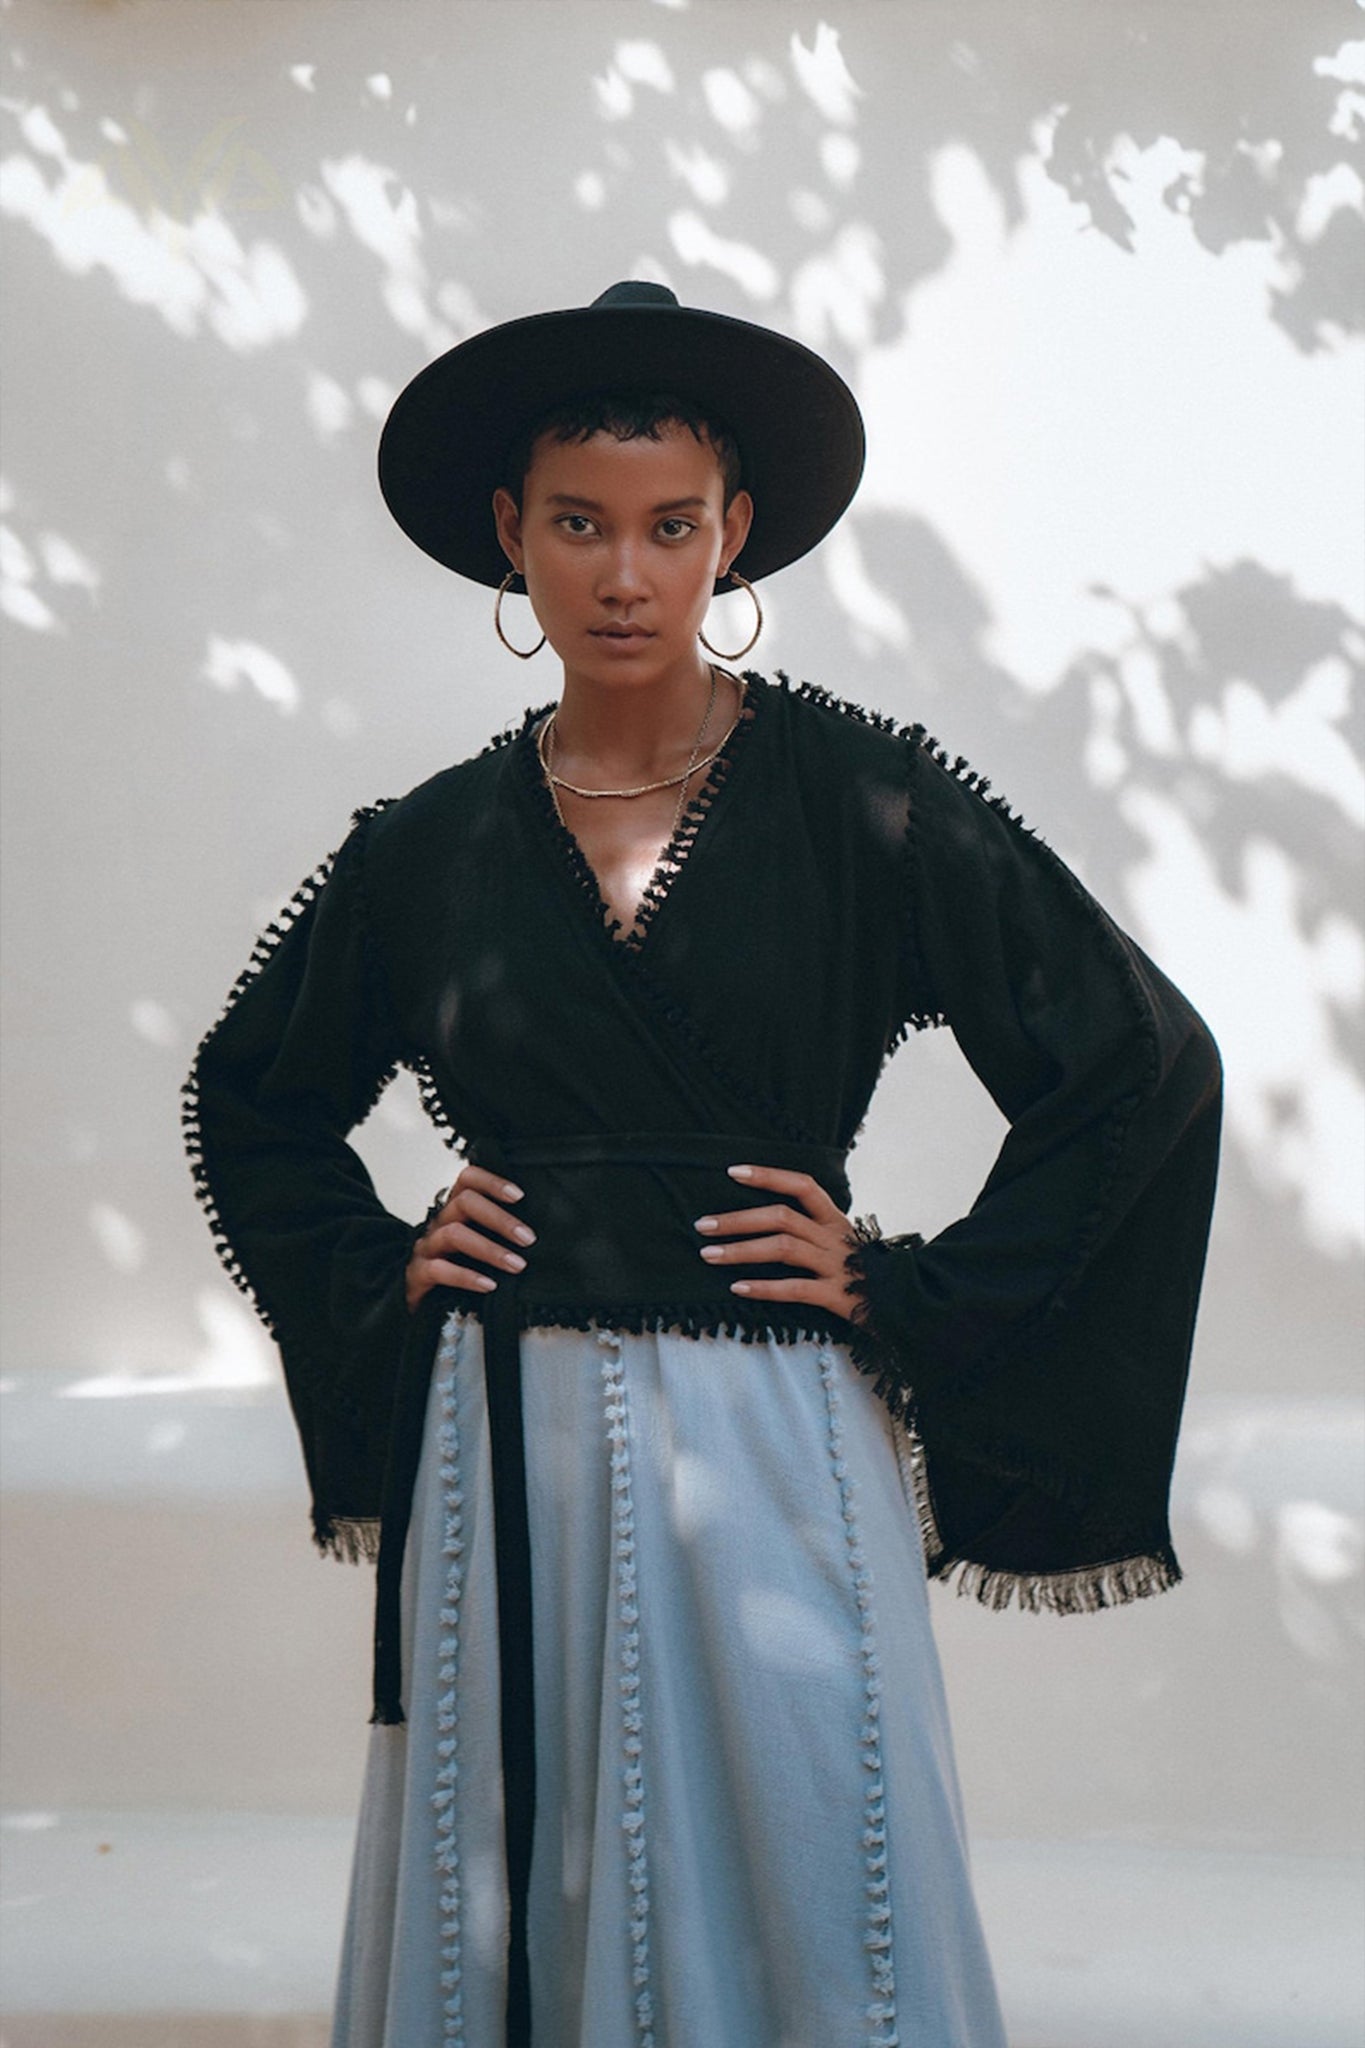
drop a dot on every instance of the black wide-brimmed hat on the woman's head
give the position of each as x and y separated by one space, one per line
445 445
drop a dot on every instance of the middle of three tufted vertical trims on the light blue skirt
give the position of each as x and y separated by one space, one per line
631 1719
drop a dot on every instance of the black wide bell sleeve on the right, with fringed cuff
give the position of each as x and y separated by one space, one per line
1041 1345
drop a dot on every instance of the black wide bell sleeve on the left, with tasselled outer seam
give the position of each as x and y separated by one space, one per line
298 1060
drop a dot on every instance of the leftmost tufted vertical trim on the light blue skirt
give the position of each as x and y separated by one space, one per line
447 1703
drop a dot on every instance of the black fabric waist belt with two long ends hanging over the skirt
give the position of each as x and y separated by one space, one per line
617 1246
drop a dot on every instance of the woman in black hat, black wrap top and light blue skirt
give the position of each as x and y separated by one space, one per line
658 1441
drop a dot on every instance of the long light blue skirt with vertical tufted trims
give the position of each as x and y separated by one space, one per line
748 1816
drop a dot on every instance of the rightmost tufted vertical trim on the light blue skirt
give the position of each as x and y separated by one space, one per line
879 1943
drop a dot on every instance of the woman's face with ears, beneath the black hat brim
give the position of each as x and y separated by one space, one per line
621 544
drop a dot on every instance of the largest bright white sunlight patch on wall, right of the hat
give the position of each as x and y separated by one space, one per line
1057 460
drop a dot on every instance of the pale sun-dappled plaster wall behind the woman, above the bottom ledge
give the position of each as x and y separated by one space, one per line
1094 271
